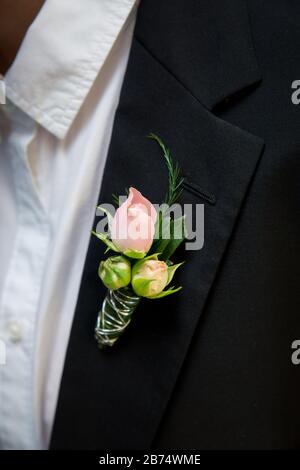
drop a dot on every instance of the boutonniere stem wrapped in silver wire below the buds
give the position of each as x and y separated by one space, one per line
115 315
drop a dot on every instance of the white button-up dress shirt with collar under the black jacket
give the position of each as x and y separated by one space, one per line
62 92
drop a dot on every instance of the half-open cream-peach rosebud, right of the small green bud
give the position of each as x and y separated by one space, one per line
149 277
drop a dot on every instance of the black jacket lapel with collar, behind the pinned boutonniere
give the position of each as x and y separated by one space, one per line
116 398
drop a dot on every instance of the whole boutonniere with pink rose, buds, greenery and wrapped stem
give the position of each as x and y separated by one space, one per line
143 239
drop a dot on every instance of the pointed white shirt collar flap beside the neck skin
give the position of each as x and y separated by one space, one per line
60 57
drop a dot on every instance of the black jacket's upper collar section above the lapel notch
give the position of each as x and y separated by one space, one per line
207 45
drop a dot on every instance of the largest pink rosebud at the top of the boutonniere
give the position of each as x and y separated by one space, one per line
133 225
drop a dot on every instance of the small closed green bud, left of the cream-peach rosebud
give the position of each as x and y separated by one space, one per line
115 272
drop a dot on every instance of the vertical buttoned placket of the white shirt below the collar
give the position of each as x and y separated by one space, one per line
19 310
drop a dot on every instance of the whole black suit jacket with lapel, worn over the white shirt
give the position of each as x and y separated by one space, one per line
210 367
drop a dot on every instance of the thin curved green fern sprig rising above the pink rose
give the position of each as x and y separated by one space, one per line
175 178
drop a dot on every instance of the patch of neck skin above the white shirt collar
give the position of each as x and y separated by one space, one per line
15 19
